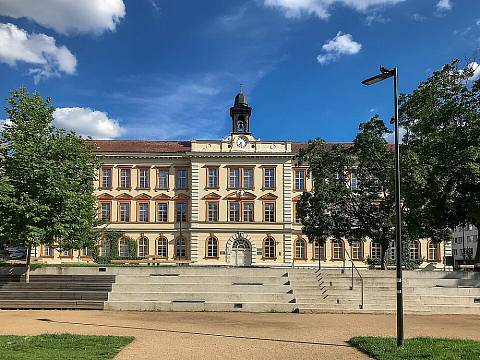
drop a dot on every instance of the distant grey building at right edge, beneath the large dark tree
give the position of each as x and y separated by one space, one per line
464 244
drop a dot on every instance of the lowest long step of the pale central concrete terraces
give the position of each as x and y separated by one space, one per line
200 306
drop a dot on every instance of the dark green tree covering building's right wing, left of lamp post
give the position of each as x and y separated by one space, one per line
333 208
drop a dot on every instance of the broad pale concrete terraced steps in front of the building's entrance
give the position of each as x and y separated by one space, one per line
203 289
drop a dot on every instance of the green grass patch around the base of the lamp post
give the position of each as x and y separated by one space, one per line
418 348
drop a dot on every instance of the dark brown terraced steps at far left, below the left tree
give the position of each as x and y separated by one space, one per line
55 291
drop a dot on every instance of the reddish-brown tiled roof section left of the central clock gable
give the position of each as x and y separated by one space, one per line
140 146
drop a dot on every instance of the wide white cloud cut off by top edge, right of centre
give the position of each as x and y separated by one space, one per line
320 8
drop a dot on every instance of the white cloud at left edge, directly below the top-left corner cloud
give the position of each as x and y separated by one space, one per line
16 45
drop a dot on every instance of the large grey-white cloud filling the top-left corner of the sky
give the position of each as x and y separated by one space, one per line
68 16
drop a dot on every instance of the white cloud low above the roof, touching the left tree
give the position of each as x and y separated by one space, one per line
87 122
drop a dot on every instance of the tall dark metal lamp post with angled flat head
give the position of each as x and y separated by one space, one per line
385 74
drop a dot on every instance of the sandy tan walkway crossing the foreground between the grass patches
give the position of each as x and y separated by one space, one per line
233 335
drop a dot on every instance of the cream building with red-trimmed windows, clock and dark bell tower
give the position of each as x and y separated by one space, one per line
216 202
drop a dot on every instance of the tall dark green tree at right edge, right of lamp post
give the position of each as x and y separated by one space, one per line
441 153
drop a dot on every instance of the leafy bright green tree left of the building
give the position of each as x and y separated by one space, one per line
48 193
